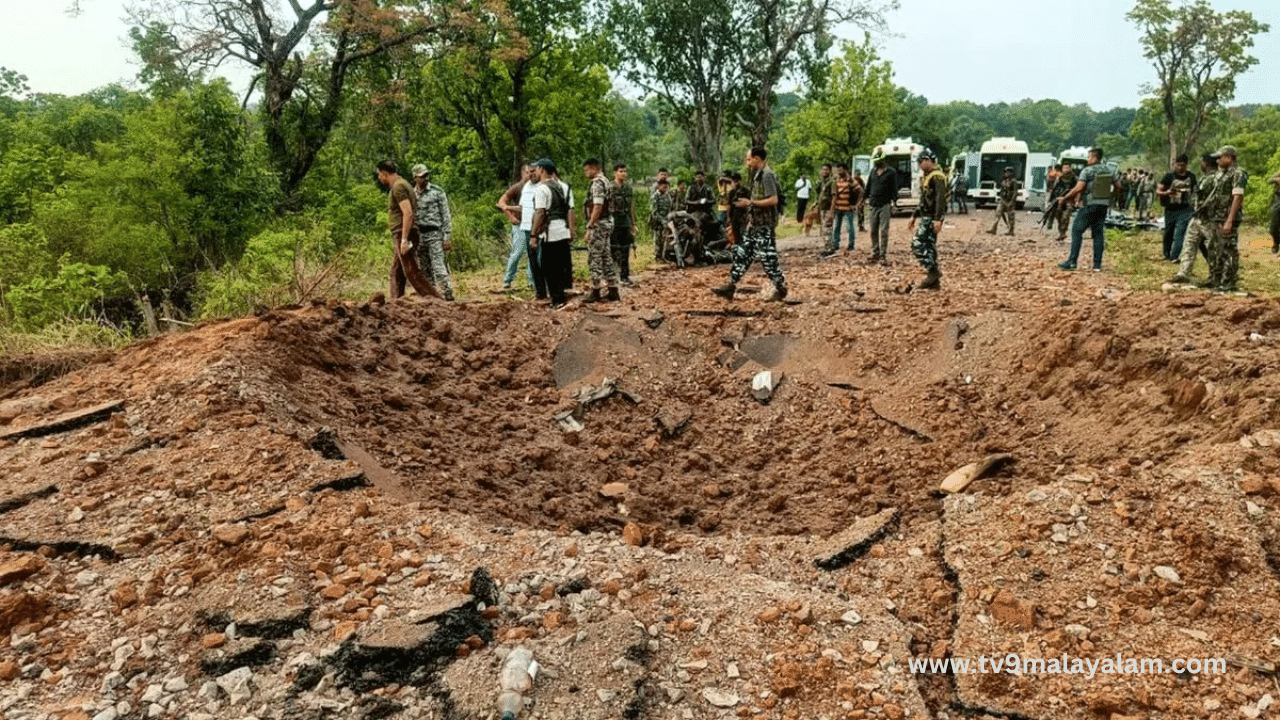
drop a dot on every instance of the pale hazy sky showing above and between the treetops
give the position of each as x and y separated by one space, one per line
981 51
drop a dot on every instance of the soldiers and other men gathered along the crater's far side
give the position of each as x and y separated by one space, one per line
1203 217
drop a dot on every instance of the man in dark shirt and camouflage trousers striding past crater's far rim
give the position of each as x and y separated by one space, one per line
760 240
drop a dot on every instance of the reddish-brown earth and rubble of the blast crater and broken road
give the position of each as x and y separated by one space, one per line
703 576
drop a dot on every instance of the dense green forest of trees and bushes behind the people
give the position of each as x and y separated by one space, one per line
179 198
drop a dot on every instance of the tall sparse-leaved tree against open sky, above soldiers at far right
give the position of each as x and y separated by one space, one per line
1197 54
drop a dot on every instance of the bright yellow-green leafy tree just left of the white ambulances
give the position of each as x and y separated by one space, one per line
853 112
